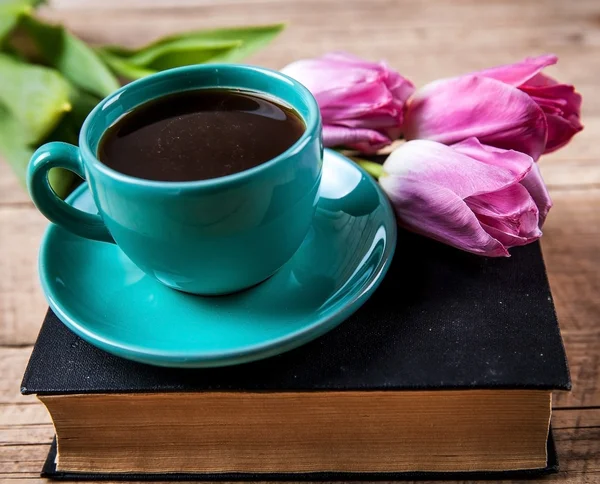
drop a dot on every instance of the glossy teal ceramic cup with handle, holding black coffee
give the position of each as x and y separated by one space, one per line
206 237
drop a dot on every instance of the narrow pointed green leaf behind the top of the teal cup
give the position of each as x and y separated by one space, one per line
218 45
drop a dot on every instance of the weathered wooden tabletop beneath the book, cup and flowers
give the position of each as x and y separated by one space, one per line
424 41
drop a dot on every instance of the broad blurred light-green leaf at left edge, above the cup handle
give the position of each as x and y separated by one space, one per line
37 96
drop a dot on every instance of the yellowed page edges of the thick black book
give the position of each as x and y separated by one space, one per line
378 431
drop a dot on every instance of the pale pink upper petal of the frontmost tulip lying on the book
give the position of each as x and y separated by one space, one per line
430 162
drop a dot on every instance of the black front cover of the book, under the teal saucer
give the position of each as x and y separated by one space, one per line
441 319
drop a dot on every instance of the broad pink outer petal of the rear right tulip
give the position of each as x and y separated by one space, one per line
451 110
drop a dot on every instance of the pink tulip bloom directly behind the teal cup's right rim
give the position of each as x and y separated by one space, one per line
361 102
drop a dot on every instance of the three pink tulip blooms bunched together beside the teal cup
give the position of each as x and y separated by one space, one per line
467 172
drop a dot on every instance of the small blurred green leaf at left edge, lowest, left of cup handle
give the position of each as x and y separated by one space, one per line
13 144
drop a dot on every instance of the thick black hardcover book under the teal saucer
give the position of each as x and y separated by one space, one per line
448 370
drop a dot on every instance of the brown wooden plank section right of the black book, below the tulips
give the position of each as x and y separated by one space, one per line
570 246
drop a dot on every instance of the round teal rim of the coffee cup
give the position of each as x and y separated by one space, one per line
313 123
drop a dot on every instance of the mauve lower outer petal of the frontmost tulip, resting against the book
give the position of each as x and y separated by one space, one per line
437 212
